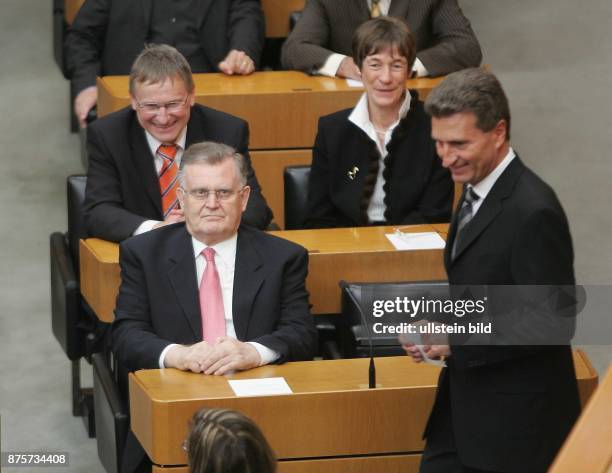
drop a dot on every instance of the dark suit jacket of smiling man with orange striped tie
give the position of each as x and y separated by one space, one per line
122 184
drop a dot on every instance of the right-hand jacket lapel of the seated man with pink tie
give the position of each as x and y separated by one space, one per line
248 278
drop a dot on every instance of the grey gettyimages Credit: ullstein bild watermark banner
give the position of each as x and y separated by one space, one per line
492 315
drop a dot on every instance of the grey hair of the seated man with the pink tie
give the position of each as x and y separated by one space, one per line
211 153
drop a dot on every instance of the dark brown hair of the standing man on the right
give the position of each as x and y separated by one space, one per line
473 90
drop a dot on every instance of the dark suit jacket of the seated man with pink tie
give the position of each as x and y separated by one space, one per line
158 301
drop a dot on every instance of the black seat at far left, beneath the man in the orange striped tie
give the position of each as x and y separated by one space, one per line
74 325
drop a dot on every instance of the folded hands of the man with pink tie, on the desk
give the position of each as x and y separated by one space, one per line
224 356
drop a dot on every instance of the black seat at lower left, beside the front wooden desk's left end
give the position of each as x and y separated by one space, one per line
112 417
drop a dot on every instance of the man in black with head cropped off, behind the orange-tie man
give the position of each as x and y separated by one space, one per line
107 35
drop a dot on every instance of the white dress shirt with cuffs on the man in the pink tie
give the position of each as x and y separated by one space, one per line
225 260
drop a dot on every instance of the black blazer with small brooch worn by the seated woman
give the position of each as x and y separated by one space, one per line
417 188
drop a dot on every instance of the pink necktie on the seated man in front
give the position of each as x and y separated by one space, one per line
211 300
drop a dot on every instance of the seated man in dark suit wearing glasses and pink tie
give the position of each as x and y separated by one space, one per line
208 295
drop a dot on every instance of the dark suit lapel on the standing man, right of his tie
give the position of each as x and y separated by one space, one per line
491 207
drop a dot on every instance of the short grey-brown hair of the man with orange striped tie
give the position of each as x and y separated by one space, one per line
157 63
